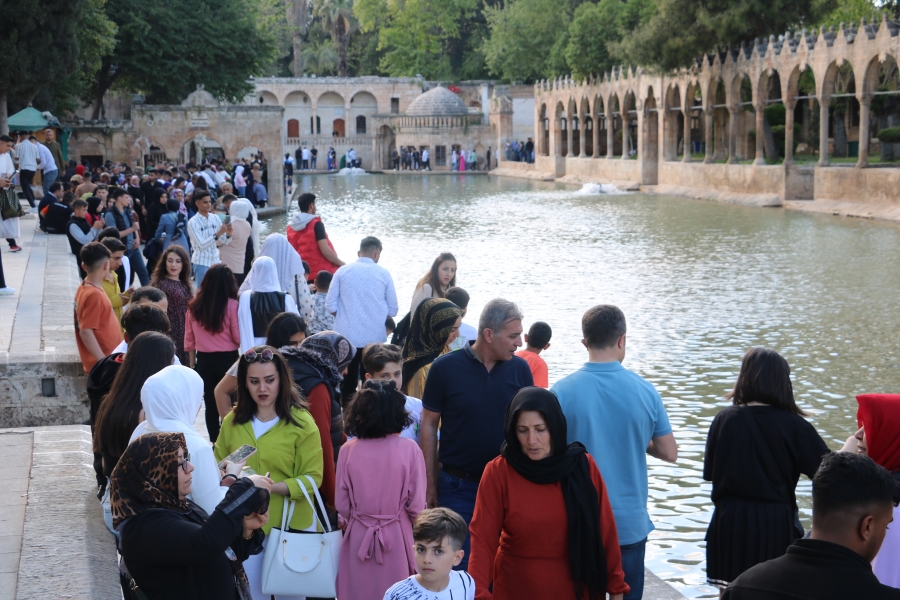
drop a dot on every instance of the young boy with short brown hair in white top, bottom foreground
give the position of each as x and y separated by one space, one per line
438 535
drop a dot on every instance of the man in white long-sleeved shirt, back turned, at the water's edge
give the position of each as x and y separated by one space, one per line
362 297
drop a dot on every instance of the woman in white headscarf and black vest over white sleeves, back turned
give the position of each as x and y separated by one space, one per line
261 301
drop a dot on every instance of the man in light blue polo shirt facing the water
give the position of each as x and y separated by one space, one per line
620 418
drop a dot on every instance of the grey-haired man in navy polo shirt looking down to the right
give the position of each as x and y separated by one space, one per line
467 392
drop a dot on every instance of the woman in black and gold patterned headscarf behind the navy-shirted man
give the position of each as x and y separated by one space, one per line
434 326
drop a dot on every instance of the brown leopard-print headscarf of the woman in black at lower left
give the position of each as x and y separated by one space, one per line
147 477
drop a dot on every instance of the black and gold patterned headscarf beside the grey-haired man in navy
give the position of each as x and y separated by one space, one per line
428 332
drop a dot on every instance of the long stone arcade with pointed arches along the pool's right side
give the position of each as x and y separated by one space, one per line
696 129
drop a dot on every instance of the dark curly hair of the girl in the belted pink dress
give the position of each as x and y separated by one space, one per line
377 411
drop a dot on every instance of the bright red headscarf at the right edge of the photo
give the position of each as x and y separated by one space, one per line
880 414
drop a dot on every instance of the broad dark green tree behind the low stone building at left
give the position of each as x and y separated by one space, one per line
215 42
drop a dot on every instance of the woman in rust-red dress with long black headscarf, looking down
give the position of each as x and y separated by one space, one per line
543 526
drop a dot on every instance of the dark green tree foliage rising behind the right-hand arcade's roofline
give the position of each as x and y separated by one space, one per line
678 31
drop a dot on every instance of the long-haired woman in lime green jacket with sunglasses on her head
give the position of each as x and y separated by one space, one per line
271 417
